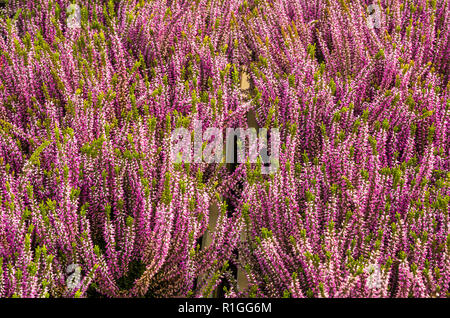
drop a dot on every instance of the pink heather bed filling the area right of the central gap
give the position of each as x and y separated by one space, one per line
364 178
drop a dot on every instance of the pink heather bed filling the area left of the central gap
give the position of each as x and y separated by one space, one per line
85 157
